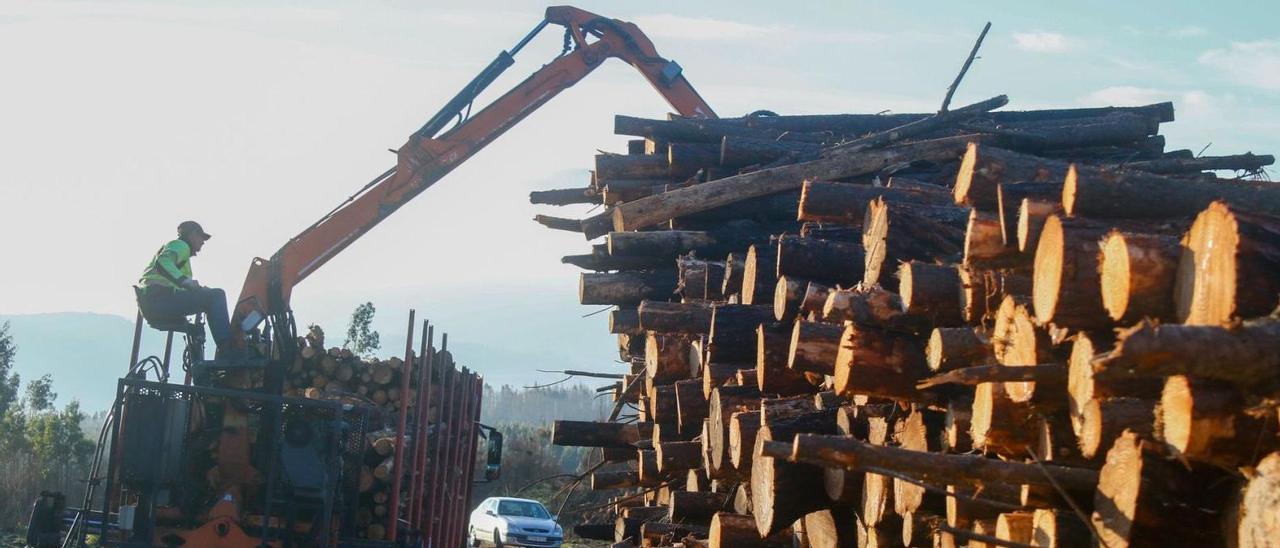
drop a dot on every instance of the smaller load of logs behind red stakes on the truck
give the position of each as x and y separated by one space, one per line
423 396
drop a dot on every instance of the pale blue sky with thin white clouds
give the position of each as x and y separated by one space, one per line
118 120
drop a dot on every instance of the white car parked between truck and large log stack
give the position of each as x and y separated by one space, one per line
508 522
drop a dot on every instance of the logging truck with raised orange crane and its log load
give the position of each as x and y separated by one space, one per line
244 456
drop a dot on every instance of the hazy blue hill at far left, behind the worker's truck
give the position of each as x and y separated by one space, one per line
85 353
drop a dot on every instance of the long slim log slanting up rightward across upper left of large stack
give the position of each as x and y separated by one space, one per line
701 198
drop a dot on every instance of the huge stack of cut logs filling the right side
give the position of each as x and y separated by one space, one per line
970 328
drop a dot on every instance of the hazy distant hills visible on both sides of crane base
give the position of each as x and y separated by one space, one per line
505 335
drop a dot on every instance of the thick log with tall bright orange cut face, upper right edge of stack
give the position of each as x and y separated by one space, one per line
1229 267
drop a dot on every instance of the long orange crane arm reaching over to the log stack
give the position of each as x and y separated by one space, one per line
429 154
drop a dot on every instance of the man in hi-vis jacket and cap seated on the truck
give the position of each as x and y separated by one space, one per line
171 293
